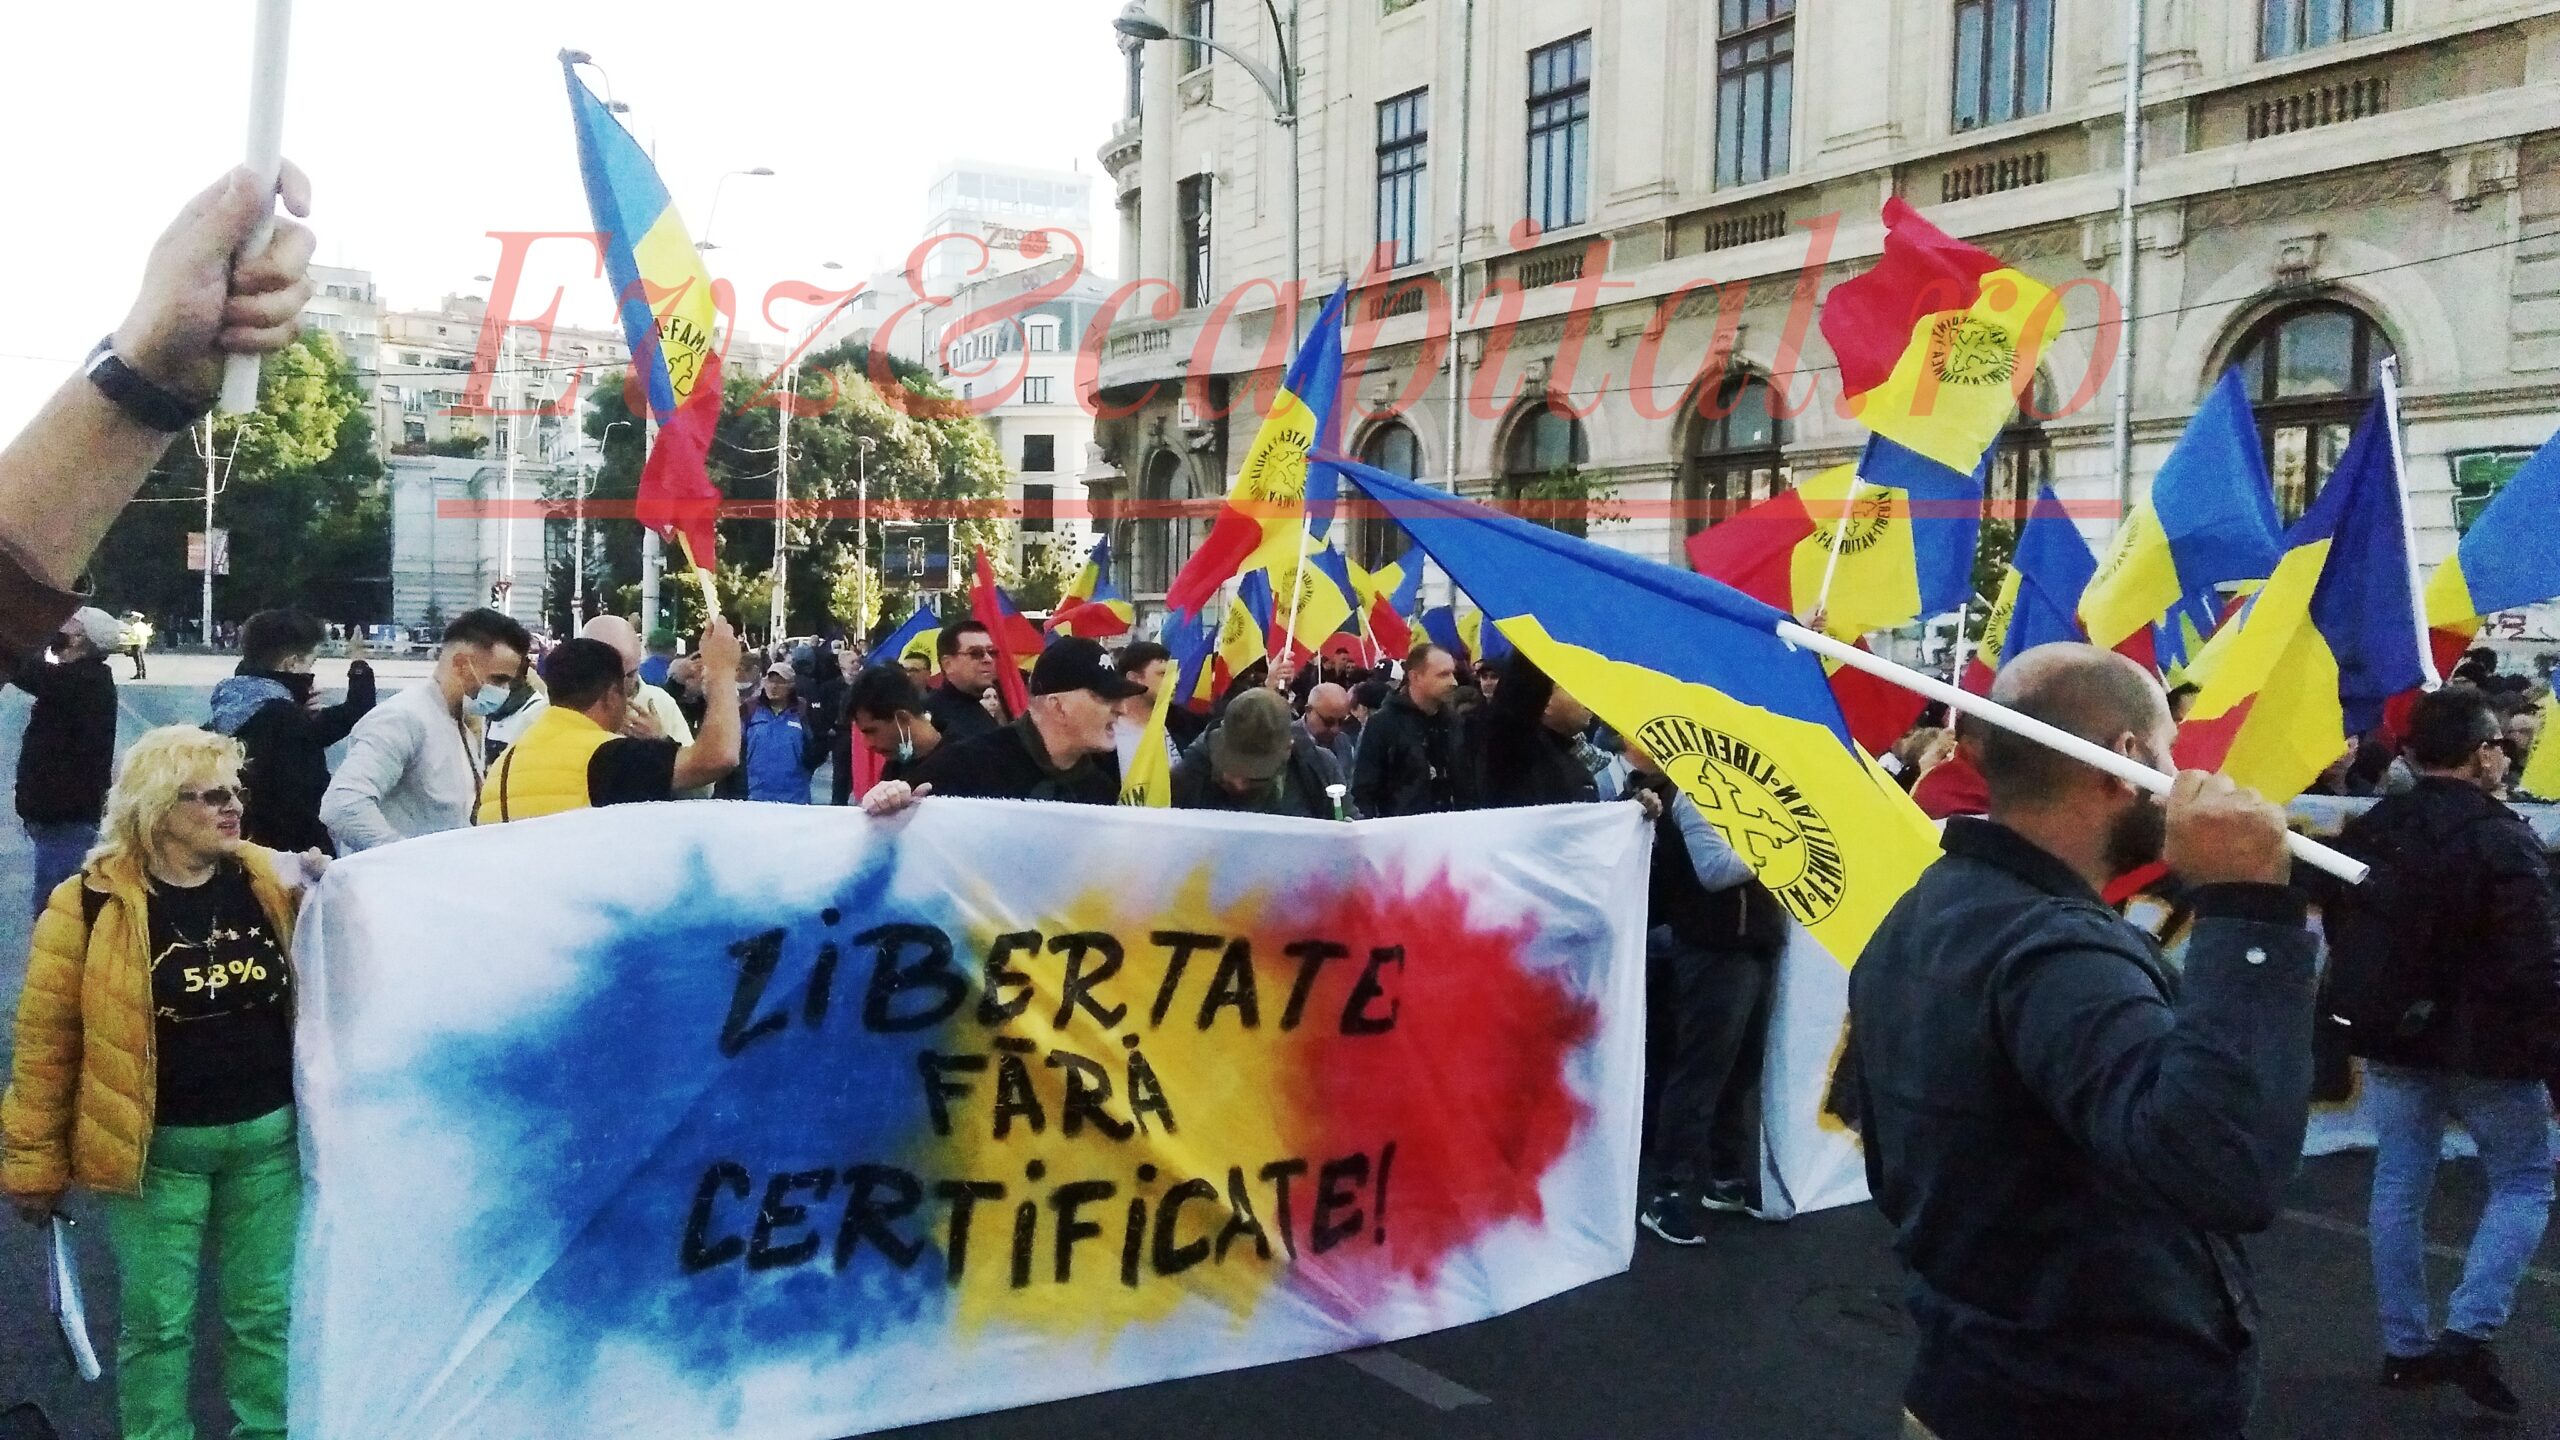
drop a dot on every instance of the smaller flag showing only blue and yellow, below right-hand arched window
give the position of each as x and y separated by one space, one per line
2211 521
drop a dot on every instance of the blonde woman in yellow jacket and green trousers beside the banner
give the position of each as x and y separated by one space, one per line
155 1070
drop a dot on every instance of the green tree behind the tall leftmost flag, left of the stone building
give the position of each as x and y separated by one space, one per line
925 447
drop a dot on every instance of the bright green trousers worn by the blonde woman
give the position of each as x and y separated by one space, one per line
239 1188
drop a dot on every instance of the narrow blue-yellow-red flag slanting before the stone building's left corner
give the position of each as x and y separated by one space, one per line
1271 509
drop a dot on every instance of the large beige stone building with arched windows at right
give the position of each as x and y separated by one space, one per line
2326 183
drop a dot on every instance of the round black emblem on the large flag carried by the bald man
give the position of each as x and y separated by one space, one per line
1760 811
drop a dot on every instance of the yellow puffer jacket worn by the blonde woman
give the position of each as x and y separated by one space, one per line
83 1083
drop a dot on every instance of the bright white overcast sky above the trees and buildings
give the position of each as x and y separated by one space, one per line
429 127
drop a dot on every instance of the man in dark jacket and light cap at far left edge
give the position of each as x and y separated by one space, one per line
68 752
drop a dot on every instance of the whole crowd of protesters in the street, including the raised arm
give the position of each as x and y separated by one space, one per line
2067 1126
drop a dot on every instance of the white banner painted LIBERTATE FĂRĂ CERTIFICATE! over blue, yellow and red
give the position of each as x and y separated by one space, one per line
695 1121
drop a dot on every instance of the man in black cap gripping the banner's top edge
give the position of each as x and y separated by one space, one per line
1059 749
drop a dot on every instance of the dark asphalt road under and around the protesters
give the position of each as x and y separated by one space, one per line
1765 1334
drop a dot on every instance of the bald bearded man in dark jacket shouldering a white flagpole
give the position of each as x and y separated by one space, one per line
2067 1134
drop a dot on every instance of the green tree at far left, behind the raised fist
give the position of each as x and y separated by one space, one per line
301 493
